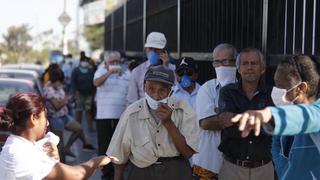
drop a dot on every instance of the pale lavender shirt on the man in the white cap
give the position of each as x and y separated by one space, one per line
136 87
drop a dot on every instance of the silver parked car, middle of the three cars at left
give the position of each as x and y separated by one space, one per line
22 74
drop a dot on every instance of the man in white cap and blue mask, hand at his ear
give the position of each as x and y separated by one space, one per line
157 55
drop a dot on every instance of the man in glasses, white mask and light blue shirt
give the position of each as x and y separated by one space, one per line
208 161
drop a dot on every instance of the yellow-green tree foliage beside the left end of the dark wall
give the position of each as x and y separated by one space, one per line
95 36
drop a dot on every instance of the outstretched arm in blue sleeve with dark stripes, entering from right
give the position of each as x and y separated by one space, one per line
283 120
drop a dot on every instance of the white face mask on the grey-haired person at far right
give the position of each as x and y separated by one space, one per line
279 96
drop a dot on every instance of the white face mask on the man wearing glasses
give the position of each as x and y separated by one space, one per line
226 75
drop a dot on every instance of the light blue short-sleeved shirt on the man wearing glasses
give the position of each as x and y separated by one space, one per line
209 157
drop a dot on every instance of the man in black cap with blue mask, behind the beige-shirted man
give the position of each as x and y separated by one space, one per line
187 88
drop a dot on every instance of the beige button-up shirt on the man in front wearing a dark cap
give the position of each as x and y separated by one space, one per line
139 138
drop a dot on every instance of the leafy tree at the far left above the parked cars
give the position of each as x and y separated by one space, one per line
16 43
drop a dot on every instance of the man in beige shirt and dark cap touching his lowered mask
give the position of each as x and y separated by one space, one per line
157 133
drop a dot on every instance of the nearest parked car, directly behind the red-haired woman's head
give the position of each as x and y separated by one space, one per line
8 88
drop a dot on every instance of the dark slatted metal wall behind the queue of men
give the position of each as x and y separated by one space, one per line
278 28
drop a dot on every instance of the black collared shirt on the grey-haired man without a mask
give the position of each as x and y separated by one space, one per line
253 148
